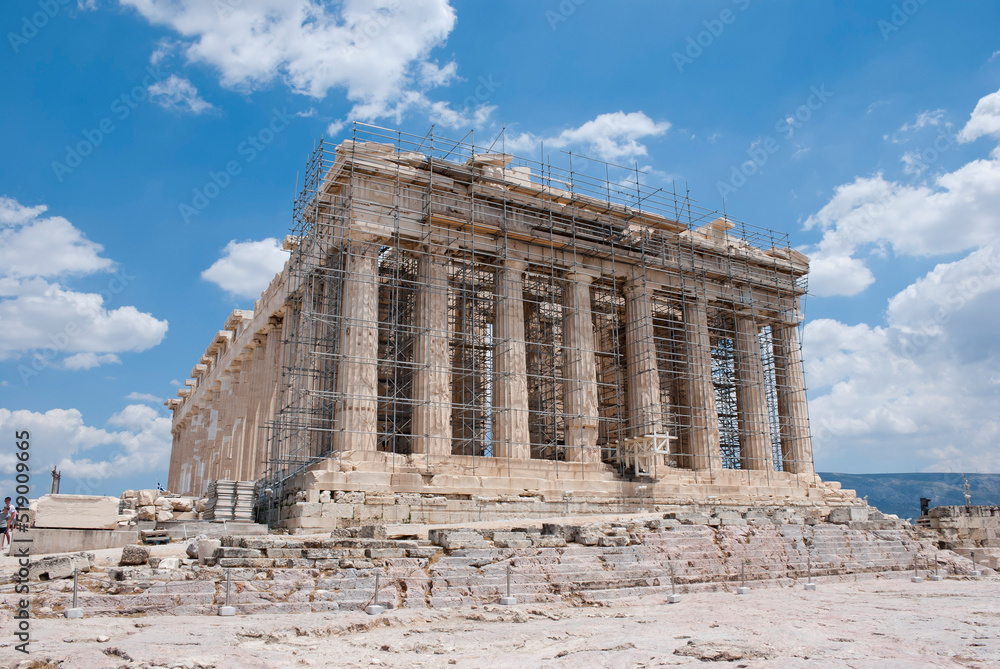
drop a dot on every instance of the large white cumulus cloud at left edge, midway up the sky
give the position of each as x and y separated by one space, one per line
45 319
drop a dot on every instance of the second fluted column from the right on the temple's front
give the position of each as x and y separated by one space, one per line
751 398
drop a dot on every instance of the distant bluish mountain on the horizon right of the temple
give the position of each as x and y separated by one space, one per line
900 493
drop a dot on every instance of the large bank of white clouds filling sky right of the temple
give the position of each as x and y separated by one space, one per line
921 387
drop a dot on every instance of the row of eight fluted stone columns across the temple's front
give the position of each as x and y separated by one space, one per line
356 412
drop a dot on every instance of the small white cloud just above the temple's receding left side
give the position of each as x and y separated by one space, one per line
246 268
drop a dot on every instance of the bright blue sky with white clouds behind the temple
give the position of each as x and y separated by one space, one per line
869 131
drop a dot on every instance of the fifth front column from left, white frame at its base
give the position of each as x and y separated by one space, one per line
645 411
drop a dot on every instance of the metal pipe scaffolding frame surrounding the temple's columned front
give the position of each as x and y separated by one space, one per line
476 205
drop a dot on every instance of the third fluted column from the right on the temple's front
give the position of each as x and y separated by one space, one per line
702 415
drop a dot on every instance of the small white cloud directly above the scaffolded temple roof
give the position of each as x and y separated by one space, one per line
613 137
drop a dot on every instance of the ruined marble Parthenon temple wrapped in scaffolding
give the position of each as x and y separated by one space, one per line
459 333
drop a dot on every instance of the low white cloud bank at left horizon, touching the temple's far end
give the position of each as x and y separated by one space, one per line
138 442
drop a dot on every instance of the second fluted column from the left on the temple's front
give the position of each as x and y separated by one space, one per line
432 364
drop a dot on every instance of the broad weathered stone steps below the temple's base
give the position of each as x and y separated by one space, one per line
294 574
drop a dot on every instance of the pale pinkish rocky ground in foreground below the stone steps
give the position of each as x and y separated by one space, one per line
881 622
